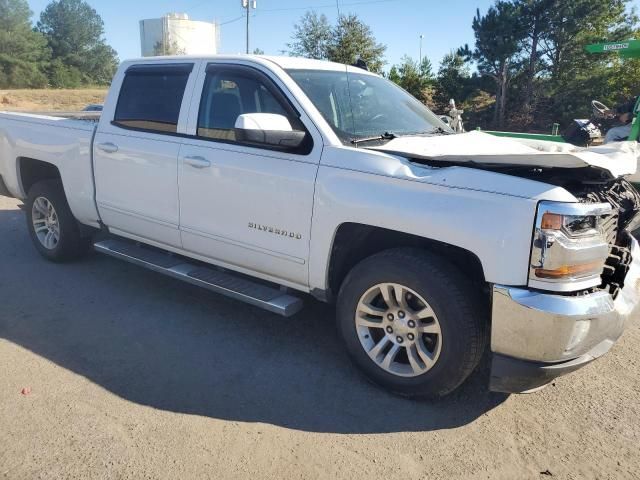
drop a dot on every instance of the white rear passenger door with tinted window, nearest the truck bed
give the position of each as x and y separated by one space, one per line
136 154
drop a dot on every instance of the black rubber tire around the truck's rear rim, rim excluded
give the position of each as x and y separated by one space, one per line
71 245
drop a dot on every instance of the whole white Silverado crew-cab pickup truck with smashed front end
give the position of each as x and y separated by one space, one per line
265 178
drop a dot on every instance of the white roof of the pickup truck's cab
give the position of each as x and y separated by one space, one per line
284 62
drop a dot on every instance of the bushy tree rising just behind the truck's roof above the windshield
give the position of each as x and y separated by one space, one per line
351 39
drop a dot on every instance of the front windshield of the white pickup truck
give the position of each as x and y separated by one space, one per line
359 105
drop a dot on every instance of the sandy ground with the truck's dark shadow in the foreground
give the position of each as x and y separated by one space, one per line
135 375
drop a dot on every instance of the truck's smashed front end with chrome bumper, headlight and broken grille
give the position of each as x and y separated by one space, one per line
583 288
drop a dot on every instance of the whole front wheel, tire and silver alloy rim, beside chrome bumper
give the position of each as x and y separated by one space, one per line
411 322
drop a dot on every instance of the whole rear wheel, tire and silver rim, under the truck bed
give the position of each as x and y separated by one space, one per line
53 228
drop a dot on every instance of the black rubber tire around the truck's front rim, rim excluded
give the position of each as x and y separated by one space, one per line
460 312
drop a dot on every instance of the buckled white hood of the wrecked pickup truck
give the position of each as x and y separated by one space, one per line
617 159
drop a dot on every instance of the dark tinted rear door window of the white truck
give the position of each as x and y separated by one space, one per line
151 96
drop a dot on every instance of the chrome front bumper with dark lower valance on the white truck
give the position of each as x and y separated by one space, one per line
537 337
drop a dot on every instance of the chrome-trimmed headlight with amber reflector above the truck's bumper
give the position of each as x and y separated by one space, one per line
570 245
